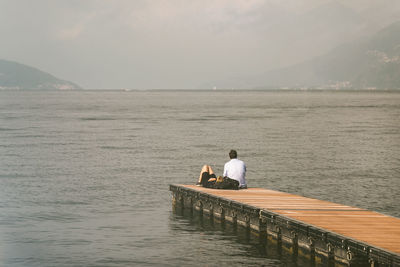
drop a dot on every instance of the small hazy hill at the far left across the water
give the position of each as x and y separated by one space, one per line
18 76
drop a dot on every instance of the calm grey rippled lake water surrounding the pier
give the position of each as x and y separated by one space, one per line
84 175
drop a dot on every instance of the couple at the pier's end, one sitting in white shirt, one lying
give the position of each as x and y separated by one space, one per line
234 176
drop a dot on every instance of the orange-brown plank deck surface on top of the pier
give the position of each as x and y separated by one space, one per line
369 227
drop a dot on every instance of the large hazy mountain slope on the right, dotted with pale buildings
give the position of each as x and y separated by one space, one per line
372 63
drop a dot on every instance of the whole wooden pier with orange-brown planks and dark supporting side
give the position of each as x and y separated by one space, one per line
344 234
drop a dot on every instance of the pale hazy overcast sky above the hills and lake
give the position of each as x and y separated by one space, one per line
179 43
